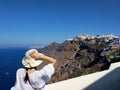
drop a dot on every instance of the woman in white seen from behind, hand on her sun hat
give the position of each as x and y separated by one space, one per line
29 78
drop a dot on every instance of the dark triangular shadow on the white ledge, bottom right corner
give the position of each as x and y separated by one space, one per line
111 81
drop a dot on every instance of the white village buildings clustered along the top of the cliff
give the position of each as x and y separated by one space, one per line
112 39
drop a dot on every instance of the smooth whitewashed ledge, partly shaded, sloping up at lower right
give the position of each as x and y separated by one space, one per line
104 80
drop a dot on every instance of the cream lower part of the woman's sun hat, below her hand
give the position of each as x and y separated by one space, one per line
30 62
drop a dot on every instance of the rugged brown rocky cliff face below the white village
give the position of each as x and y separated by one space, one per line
80 57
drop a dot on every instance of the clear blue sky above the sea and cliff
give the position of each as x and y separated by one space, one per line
36 22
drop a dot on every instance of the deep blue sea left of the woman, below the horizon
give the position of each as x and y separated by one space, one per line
10 61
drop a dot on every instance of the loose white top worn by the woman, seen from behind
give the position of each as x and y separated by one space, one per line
37 79
